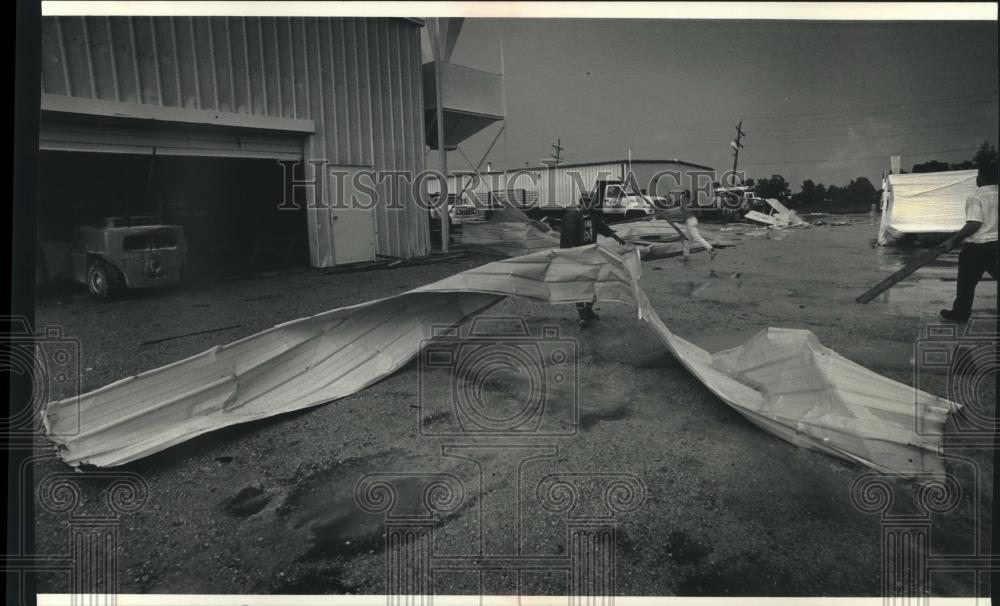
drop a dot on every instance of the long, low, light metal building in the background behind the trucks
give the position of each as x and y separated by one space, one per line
562 185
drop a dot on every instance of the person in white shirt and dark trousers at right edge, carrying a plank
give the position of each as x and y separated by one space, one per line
979 237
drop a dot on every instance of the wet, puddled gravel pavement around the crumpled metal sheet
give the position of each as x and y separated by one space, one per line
701 501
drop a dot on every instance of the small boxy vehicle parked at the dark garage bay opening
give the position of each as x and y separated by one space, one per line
137 252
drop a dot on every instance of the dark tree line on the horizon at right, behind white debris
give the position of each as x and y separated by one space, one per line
859 194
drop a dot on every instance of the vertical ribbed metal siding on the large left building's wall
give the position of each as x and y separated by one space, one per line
358 79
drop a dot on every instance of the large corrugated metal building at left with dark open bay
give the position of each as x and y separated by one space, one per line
212 104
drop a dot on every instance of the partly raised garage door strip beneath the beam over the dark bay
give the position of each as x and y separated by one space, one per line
134 137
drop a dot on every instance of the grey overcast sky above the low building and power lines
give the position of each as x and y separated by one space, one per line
823 100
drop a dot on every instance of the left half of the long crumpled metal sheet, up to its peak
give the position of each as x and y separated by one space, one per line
312 360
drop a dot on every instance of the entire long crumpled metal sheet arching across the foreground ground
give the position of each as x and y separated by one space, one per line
783 380
